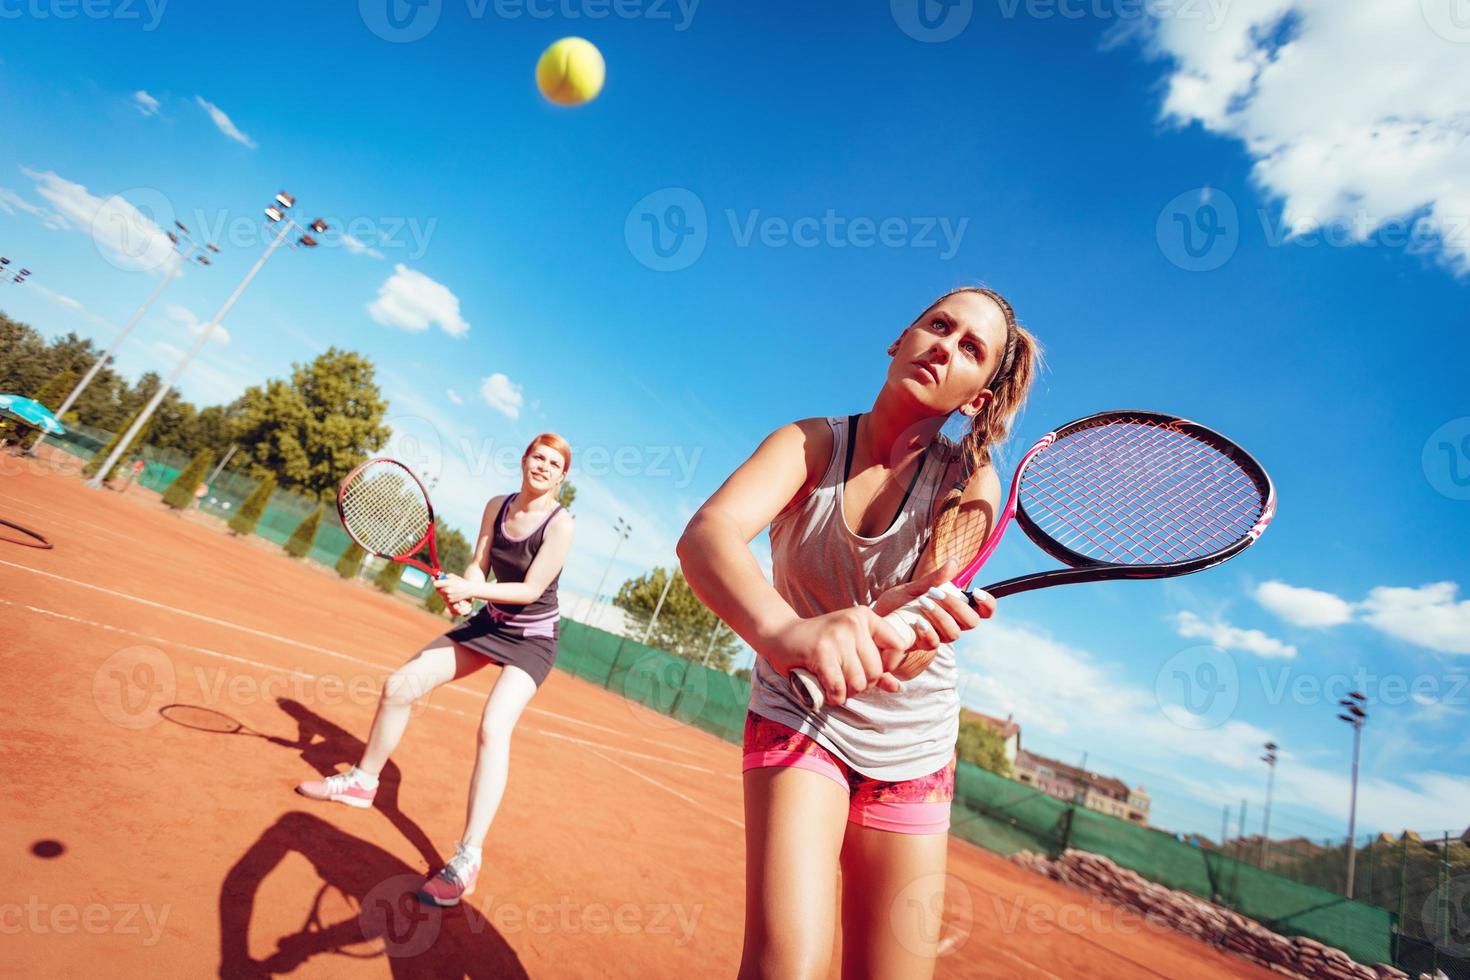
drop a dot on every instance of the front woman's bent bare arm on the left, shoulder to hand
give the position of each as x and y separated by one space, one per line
847 650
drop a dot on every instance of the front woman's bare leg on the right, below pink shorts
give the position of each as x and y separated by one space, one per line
893 903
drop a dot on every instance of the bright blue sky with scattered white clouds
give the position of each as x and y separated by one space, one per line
1202 211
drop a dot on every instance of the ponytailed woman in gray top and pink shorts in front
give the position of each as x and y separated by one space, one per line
865 784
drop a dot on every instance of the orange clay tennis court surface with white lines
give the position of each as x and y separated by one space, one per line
137 846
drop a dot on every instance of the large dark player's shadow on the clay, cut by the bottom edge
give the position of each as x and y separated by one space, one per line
379 916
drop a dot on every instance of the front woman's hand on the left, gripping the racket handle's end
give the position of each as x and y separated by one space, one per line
847 652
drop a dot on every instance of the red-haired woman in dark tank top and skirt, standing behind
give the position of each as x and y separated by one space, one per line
524 540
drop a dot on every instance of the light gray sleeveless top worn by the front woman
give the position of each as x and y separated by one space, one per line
822 566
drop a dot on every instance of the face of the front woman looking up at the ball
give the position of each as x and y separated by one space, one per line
949 356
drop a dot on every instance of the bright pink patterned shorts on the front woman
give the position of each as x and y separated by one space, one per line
914 806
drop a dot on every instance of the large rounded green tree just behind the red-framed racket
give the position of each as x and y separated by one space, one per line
317 427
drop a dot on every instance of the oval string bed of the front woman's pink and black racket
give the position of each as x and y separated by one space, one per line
1140 493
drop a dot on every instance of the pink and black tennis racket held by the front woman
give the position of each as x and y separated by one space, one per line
1114 496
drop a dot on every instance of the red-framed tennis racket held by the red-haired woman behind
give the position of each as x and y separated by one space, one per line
387 512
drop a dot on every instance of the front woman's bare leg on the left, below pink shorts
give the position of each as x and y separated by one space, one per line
795 824
